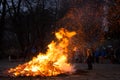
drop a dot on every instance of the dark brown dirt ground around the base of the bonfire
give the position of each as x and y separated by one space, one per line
99 72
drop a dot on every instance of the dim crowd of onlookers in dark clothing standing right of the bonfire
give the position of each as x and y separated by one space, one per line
99 55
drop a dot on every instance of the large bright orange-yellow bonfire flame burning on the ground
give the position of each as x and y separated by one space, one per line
54 62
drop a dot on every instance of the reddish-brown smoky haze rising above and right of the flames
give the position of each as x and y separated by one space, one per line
87 21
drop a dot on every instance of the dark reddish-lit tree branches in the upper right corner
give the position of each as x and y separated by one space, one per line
114 19
